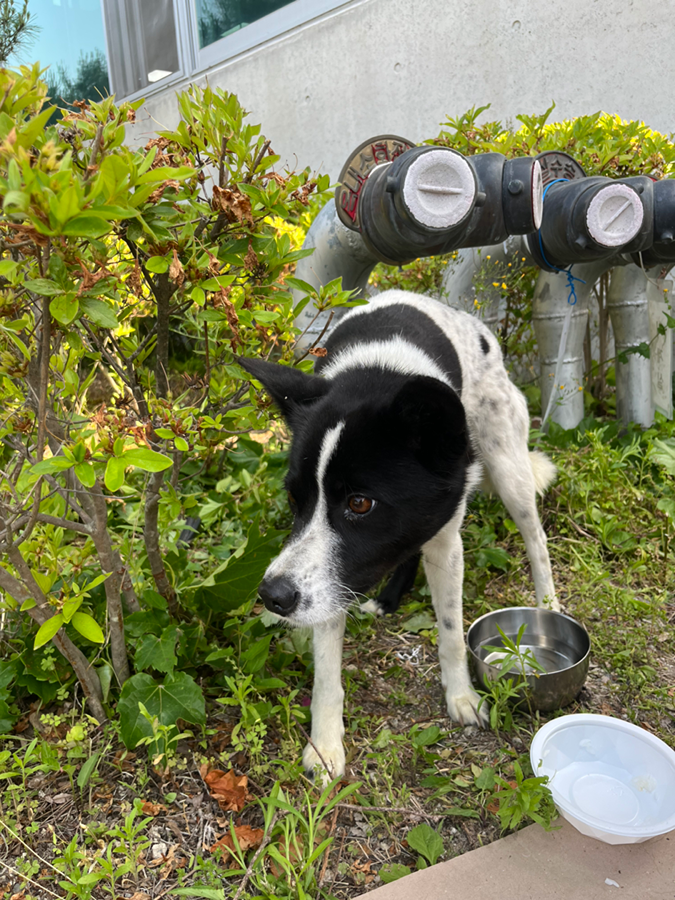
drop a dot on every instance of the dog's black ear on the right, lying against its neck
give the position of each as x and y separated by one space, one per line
433 422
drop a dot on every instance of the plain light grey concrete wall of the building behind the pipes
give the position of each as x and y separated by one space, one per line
402 66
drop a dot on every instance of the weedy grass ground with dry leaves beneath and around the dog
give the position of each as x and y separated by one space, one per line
84 818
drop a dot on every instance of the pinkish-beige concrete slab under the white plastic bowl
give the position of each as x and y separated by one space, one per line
535 865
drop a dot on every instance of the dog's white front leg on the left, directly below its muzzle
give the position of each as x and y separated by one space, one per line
326 748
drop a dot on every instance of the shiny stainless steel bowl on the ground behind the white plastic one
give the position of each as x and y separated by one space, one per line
559 644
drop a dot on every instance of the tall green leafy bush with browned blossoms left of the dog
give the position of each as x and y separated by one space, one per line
130 281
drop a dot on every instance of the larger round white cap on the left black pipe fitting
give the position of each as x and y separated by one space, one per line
439 188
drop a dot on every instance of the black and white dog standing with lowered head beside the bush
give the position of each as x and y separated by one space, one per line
412 410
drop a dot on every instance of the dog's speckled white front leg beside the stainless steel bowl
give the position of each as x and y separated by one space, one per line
444 567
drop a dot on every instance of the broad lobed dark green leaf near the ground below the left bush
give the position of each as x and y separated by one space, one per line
178 697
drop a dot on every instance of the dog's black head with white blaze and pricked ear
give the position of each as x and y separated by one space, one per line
377 466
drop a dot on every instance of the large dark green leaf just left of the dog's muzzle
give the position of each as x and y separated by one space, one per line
239 581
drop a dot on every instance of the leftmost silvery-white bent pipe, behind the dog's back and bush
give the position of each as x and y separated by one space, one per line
338 252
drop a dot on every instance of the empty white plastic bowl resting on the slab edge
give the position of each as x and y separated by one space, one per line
610 779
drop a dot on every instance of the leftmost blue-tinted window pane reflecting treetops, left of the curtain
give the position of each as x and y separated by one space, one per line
71 41
